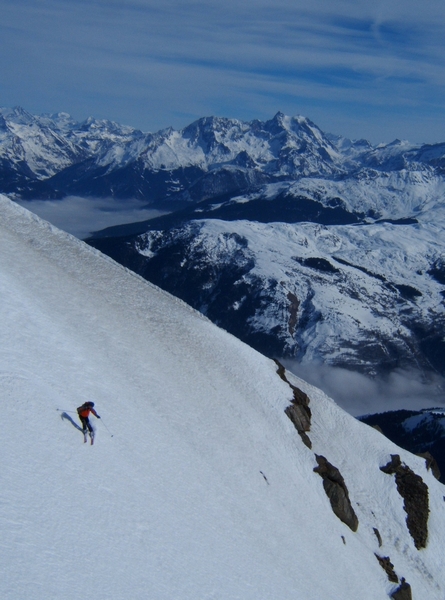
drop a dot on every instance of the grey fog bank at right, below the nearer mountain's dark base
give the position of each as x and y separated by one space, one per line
360 395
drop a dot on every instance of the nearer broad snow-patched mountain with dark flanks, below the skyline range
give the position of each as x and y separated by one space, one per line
357 294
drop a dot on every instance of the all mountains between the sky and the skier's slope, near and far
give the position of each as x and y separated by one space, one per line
301 243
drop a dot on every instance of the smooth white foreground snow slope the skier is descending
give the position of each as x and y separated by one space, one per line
198 485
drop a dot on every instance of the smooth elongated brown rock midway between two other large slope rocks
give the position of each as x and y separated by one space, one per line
337 492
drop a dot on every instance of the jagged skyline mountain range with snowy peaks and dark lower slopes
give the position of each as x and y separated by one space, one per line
52 156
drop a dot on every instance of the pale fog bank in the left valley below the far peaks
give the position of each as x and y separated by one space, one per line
81 216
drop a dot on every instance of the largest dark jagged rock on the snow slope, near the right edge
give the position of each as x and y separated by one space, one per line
414 492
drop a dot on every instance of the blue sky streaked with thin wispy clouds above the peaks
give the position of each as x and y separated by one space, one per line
360 69
